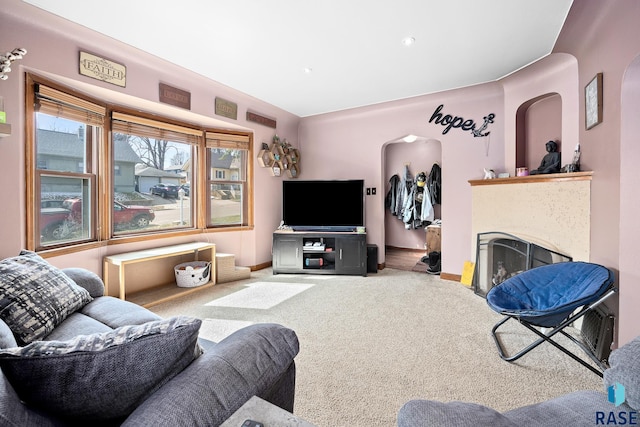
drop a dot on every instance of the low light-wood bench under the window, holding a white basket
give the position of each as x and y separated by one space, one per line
162 293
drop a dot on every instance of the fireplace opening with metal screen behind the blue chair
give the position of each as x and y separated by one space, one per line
500 256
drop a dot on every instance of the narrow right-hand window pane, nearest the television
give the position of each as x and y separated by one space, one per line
227 164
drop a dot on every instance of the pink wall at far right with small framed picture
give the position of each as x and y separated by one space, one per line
604 37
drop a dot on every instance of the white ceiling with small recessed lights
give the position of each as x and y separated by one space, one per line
354 47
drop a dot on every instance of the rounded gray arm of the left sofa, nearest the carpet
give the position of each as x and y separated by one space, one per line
249 362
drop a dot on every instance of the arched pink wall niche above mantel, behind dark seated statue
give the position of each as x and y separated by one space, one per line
538 120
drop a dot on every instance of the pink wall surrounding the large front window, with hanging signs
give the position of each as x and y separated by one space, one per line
53 45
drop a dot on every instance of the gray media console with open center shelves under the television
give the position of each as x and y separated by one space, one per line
319 253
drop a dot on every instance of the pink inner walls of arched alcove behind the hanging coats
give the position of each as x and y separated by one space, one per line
418 156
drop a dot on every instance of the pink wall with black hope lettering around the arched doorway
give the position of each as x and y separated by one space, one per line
352 143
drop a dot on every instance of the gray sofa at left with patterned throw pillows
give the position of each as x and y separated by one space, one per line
71 356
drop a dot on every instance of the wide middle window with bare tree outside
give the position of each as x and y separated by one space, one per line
146 152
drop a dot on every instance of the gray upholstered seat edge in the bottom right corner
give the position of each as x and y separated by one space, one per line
618 404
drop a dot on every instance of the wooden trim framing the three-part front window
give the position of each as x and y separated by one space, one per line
49 97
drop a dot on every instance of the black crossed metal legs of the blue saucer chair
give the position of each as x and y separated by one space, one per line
547 337
